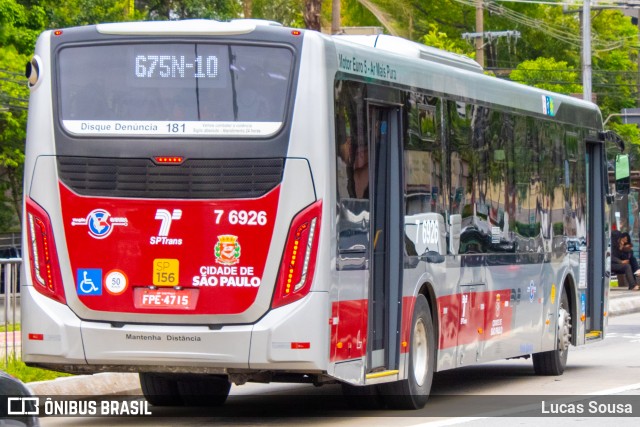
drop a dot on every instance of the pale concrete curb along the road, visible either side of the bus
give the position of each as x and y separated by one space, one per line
621 301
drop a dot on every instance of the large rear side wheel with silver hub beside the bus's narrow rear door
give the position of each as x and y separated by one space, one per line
413 392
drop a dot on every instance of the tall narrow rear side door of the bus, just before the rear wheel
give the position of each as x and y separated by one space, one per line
385 284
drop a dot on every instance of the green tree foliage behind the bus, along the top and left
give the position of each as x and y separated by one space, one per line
546 55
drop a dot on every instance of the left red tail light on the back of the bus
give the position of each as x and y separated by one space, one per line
45 270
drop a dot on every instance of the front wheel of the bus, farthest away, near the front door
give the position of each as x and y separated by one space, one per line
553 362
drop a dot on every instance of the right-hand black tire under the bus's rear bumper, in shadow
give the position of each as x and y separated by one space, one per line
203 390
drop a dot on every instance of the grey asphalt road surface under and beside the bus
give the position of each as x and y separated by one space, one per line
474 395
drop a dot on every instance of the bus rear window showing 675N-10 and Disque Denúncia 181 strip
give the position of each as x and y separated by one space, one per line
190 89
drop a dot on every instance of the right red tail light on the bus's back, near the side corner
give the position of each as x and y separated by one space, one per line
299 259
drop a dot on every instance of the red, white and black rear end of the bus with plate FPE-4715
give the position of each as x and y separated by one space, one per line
167 230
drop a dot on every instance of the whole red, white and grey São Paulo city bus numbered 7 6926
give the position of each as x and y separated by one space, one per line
210 203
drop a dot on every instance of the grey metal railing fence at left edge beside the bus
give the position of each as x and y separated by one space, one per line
10 291
